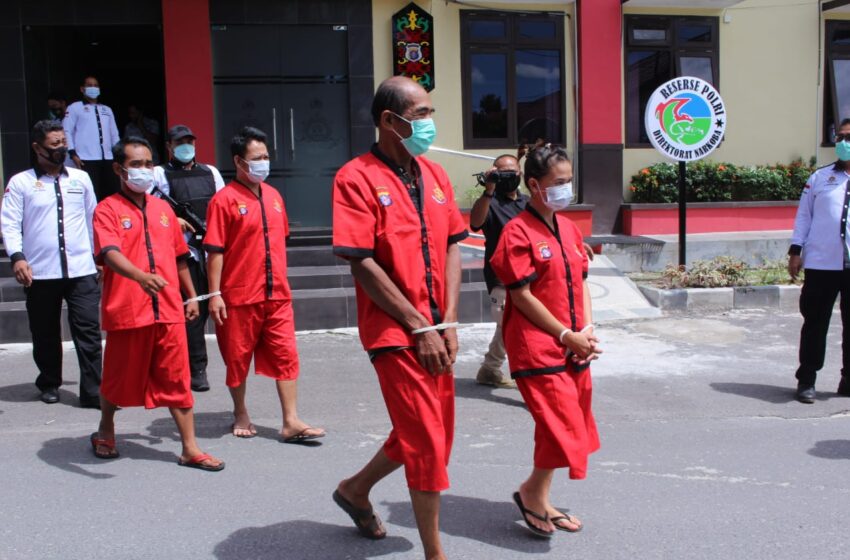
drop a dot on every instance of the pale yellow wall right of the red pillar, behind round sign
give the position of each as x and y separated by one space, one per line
769 79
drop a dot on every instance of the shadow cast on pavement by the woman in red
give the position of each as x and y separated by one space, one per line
493 523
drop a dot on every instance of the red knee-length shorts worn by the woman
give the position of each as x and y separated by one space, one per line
565 431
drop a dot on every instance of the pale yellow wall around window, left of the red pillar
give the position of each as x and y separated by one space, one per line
447 95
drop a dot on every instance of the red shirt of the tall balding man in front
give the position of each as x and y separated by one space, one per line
405 224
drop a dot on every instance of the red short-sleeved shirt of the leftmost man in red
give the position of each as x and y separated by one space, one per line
150 238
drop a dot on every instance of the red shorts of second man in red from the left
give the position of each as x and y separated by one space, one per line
263 331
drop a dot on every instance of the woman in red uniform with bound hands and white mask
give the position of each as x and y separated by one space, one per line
548 334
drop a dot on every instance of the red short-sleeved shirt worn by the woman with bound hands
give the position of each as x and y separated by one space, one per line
555 264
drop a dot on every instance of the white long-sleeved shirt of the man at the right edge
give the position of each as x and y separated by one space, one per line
820 228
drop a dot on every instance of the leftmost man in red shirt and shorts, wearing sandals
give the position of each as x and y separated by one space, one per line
146 360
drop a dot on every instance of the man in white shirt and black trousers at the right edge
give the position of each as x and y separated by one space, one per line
820 244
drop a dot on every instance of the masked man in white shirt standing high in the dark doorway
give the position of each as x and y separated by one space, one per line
91 132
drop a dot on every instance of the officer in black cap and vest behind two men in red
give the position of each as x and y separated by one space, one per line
192 183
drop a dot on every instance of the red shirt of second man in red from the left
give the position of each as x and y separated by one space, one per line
251 232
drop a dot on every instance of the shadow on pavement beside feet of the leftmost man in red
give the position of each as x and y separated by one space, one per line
75 454
